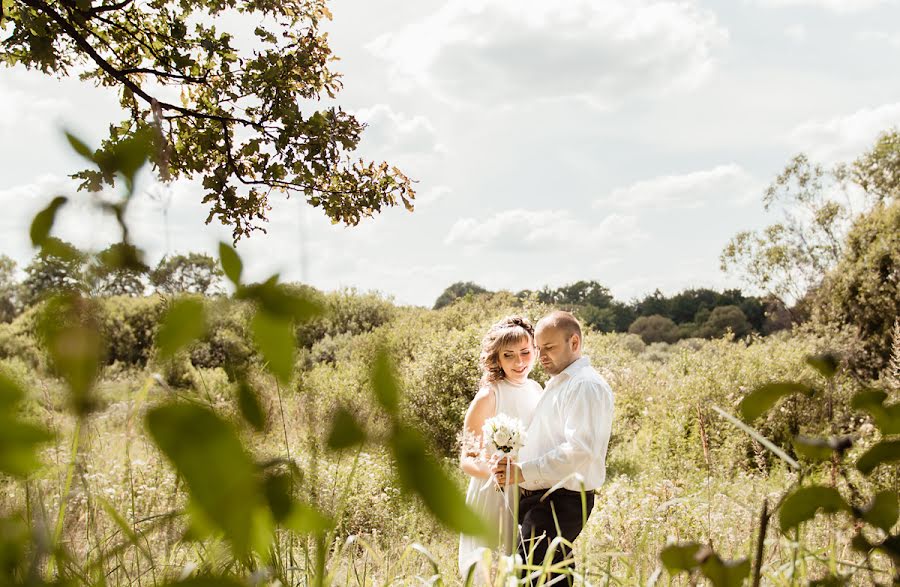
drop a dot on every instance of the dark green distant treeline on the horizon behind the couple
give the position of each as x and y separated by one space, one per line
692 313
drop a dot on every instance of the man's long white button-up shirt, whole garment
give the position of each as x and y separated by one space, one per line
570 431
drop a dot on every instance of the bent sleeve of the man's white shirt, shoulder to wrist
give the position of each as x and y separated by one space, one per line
582 441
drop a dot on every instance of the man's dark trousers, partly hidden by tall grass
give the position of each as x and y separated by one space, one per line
539 527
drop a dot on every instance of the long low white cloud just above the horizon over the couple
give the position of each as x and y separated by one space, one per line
519 229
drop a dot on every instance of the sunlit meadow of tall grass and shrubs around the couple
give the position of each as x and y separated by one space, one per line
106 507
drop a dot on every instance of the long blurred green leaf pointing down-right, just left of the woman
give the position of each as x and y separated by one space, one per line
420 473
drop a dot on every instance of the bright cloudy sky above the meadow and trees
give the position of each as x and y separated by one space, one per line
622 141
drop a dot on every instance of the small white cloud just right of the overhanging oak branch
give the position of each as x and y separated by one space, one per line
396 132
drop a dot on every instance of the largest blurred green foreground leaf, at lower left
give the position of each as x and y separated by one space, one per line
220 475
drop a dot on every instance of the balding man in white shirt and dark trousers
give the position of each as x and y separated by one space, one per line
565 445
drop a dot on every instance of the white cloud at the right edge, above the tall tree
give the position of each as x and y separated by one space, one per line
844 137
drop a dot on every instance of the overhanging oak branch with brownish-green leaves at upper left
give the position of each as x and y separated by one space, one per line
245 124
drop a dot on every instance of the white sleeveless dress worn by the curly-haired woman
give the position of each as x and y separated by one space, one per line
517 401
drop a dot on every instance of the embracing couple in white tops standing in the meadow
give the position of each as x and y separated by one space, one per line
567 427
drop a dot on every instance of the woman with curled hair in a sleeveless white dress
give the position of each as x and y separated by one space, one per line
507 356
